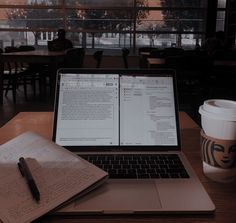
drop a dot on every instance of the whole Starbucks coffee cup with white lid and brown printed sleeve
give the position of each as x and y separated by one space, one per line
218 139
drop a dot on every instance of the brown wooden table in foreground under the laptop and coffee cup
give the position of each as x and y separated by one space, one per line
223 195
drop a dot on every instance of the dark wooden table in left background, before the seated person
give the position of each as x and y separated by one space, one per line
52 58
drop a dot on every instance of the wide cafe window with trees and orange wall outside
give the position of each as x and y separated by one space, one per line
104 23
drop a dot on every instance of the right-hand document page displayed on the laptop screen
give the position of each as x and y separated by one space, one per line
147 112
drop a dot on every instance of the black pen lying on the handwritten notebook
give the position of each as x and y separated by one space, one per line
25 171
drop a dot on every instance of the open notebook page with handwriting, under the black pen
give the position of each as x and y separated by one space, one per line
58 173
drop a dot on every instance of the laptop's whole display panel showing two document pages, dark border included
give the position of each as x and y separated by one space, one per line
115 109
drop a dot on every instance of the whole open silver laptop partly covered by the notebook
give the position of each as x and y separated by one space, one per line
126 122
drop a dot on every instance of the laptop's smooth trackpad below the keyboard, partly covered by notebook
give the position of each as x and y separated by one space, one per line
119 196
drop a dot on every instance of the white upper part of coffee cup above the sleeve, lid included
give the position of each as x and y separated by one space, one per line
218 118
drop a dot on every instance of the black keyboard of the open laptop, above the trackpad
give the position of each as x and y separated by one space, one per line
134 166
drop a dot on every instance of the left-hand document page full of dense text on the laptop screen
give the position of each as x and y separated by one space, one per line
88 110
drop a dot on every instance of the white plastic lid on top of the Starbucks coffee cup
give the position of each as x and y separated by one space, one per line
219 109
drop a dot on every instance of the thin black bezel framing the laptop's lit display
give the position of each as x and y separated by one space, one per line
108 148
